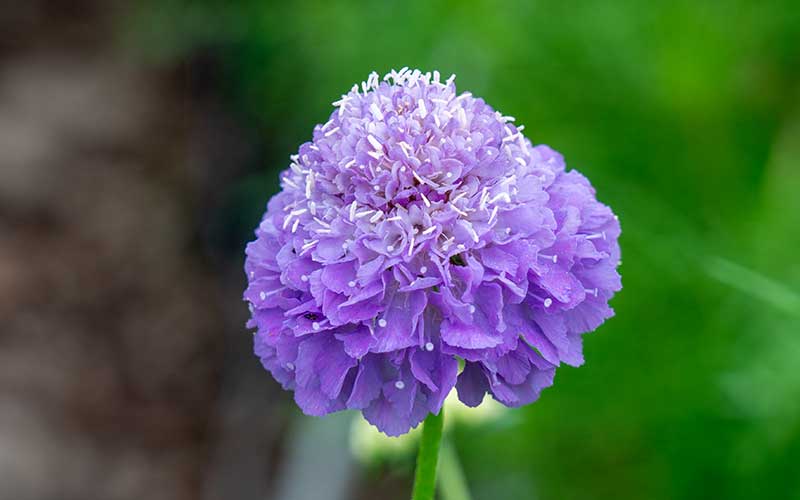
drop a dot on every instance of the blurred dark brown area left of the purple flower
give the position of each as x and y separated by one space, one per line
112 314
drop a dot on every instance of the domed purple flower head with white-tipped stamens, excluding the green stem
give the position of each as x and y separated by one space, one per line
420 227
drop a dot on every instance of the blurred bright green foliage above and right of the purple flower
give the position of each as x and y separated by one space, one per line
686 117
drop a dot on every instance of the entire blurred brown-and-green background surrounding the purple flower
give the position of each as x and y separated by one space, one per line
140 141
